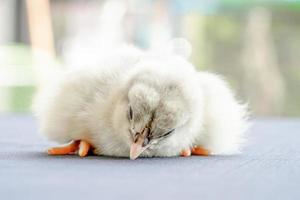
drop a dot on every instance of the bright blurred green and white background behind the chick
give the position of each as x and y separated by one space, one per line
254 44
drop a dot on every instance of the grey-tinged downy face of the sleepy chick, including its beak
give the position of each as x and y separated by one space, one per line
153 114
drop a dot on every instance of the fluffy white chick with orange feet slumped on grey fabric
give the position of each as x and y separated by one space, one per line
141 104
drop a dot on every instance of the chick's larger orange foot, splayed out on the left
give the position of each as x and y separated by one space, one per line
80 146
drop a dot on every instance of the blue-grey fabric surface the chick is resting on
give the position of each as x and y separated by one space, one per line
269 168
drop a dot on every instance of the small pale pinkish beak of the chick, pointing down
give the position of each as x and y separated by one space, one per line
138 146
